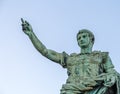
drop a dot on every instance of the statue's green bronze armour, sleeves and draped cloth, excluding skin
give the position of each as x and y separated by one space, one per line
87 74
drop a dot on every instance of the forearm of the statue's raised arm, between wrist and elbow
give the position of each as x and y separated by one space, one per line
37 43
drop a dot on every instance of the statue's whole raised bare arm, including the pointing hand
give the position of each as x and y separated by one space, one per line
50 54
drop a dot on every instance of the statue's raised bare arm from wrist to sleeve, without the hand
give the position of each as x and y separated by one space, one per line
50 54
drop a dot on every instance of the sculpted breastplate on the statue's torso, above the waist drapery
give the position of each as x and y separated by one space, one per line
83 67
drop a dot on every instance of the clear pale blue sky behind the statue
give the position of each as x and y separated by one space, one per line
56 22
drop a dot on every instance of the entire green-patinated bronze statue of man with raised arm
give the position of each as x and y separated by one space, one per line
89 72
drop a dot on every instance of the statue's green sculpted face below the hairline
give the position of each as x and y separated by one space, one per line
83 40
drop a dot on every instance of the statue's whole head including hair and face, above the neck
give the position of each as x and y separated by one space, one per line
85 38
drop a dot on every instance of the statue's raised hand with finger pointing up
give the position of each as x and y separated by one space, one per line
26 27
